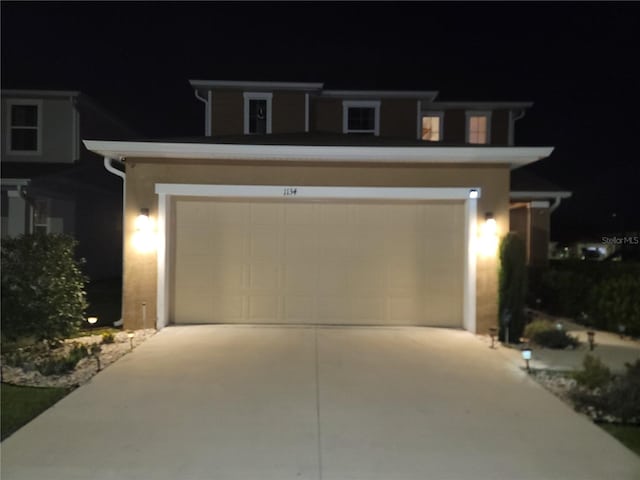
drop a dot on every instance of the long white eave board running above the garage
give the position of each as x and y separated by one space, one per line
514 156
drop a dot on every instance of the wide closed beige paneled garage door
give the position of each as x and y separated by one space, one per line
317 263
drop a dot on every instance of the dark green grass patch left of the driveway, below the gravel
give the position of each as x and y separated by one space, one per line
21 404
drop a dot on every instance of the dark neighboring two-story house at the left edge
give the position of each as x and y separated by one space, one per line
51 183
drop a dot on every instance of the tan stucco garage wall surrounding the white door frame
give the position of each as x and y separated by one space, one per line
142 175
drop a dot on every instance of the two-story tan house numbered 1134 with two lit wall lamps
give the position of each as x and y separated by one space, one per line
306 205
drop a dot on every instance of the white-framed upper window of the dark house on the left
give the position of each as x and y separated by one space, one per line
25 124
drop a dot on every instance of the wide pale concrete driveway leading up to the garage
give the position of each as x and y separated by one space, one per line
244 403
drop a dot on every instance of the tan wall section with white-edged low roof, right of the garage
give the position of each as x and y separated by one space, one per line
533 200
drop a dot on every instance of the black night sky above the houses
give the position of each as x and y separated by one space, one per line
578 62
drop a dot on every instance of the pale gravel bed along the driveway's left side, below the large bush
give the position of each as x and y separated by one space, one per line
85 369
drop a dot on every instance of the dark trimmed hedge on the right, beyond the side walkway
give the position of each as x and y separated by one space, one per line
607 292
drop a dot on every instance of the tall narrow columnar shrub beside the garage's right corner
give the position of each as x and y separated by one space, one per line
512 286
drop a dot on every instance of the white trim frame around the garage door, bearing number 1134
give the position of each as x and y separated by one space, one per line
166 191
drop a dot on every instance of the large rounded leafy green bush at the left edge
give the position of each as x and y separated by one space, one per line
43 292
